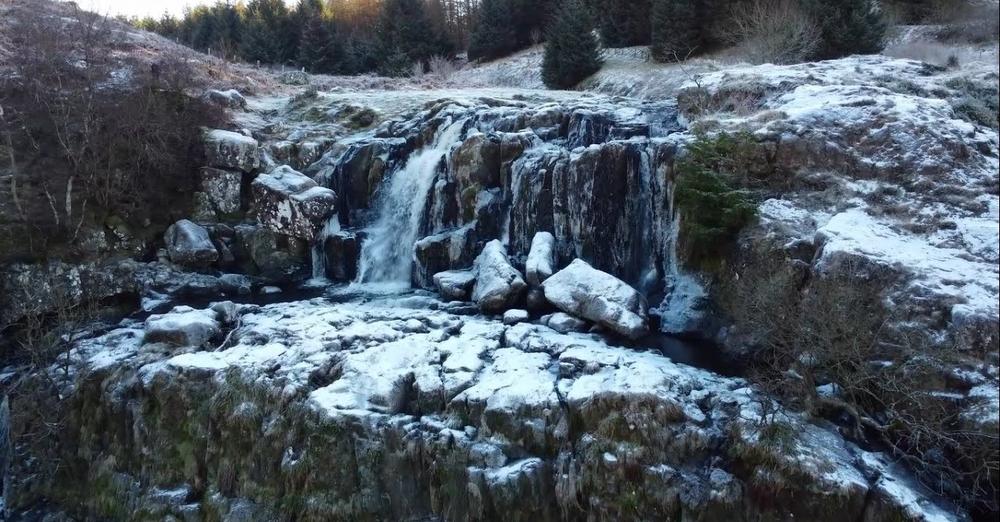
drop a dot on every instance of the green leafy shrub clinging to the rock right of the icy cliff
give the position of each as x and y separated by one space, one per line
712 205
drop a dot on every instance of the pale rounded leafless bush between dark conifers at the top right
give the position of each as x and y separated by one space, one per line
773 31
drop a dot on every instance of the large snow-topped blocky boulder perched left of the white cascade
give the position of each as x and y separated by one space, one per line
290 203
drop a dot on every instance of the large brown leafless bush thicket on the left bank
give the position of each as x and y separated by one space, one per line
88 133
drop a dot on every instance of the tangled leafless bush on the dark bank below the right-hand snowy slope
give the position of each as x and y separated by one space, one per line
833 333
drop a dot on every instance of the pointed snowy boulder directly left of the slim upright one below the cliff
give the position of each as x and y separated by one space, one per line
499 286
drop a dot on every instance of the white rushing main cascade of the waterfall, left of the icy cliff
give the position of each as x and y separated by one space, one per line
387 254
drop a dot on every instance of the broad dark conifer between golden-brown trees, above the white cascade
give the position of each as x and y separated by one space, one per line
405 36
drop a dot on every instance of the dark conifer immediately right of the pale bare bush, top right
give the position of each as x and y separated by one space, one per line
848 27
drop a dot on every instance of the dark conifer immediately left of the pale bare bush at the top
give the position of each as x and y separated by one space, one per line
676 31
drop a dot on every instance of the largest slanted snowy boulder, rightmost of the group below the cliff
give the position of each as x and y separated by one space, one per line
586 292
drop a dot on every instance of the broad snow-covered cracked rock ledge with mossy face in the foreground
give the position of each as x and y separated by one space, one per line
401 407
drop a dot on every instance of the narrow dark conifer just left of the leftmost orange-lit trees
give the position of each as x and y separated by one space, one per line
320 50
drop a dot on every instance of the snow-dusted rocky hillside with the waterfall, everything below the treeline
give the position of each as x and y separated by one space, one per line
706 290
